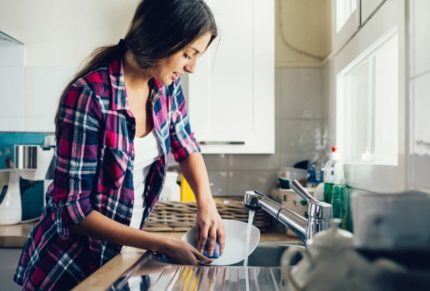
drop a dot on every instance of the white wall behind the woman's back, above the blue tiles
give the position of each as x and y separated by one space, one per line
57 36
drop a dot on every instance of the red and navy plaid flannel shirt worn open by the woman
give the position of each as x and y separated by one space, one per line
94 168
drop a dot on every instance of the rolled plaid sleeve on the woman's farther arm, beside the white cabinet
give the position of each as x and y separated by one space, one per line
182 138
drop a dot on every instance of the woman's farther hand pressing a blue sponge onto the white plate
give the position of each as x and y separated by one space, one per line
209 227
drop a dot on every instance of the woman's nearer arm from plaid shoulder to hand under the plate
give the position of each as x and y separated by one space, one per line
80 120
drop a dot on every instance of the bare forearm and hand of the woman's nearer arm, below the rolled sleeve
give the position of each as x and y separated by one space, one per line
101 227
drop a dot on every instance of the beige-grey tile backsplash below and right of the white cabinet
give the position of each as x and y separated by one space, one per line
298 94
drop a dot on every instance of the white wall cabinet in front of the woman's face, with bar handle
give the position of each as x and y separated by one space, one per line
231 94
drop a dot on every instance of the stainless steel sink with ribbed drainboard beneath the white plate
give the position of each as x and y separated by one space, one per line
264 272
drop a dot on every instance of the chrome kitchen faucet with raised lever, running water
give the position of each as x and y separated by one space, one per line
319 212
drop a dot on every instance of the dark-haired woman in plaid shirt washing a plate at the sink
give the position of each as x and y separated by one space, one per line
116 122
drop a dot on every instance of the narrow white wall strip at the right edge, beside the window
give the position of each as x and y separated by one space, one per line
419 95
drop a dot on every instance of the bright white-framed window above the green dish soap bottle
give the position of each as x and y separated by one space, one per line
367 102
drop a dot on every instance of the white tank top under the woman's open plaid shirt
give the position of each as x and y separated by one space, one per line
147 149
